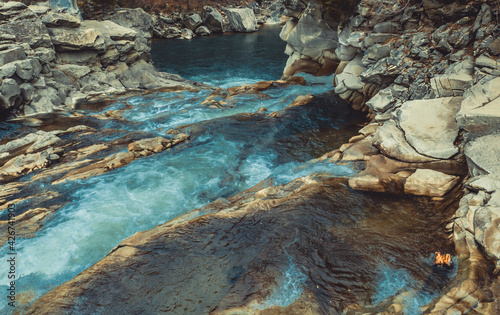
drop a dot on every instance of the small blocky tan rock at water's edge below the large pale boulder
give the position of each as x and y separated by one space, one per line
426 182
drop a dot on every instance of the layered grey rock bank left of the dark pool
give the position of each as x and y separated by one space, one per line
52 61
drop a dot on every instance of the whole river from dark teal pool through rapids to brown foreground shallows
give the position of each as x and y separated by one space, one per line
272 228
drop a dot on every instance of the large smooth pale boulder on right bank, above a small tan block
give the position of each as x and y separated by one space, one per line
430 126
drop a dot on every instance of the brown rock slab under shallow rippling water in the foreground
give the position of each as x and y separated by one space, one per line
312 239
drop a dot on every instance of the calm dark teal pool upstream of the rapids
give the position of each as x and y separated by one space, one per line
224 60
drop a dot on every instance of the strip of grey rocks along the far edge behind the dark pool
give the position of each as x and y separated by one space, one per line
212 20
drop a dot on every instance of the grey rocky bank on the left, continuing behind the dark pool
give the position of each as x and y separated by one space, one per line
53 60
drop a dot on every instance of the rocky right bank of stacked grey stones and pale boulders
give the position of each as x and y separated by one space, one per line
427 75
